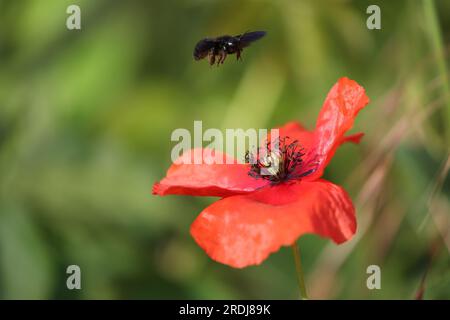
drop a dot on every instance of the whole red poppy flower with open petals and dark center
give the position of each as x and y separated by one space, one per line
258 214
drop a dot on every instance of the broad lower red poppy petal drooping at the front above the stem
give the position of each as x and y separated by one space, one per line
243 230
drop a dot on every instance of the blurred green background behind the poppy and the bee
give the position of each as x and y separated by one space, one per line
85 124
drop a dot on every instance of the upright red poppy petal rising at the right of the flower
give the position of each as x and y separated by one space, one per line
339 110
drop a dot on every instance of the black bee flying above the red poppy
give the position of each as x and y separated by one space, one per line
217 49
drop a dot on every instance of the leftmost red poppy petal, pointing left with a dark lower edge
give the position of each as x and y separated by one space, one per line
204 179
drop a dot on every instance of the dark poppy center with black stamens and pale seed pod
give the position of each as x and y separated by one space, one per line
278 162
